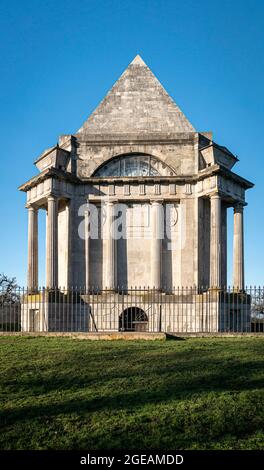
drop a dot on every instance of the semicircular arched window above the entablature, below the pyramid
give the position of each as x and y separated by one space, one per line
136 164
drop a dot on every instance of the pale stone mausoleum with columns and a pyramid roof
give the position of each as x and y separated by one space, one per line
139 157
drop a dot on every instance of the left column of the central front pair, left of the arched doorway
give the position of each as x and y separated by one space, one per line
110 247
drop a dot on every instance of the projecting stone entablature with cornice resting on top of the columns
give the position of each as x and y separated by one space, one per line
205 183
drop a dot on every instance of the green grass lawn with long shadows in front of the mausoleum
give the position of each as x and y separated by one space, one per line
59 393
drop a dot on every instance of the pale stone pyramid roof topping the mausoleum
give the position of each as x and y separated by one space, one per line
137 104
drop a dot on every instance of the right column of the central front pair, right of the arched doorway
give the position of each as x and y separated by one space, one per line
157 225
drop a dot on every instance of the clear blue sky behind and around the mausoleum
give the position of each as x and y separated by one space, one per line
59 58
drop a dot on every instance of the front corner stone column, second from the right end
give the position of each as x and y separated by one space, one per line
215 242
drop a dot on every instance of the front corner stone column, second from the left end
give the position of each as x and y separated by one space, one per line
52 243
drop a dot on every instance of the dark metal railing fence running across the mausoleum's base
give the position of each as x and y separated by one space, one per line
174 310
